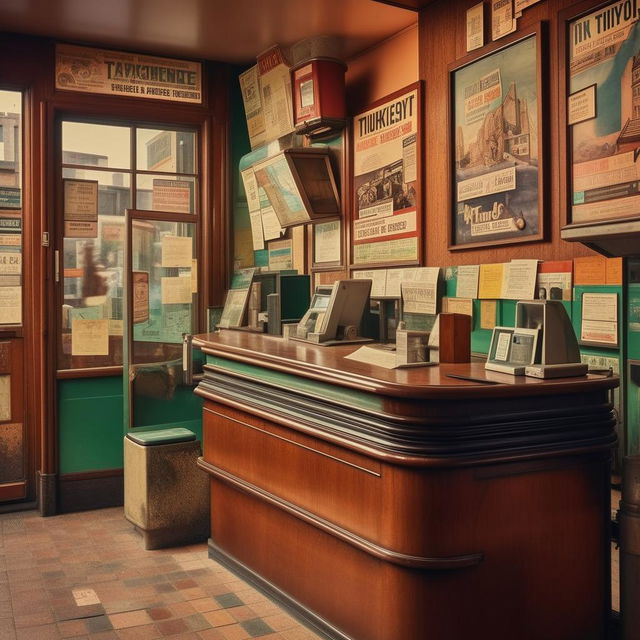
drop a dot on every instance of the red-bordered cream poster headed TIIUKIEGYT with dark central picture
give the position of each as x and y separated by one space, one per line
387 153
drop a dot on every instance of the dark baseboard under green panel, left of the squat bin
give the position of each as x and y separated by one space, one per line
90 490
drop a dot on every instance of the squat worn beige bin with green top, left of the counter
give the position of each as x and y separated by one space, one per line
166 496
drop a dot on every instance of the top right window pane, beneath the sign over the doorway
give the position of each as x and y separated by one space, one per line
166 150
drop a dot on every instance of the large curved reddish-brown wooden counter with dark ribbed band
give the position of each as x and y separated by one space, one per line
404 504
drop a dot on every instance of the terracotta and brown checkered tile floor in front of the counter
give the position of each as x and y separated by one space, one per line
86 575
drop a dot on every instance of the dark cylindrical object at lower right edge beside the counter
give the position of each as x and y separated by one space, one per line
629 518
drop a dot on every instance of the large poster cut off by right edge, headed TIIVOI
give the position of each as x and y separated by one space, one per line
604 78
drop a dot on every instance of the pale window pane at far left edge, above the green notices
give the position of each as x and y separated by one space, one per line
10 150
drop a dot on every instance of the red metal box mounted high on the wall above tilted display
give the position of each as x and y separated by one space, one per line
319 96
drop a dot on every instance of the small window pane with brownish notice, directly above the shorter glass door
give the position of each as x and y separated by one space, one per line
166 193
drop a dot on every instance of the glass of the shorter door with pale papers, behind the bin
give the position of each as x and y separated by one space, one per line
164 307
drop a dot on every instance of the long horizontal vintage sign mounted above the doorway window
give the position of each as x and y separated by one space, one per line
119 73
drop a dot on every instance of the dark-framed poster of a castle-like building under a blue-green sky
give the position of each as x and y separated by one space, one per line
496 107
